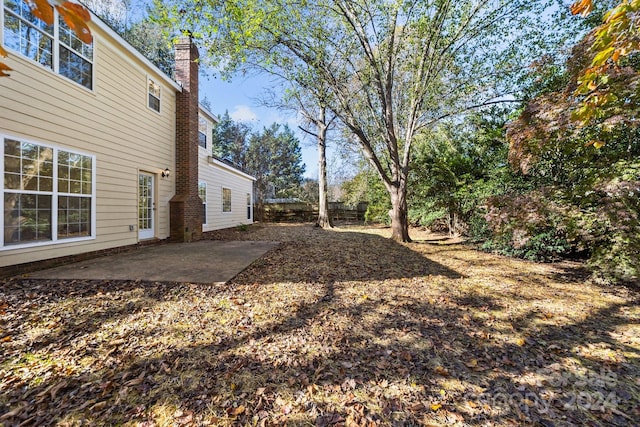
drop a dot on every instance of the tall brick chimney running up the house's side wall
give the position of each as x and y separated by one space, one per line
186 205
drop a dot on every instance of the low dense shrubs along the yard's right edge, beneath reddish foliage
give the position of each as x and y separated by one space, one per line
599 220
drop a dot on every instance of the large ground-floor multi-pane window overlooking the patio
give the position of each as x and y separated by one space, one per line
47 193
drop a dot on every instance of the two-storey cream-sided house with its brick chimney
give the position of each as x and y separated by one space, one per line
100 149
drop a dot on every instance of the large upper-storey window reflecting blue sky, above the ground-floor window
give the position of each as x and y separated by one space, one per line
53 46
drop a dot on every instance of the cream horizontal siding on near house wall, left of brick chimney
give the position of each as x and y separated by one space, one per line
111 122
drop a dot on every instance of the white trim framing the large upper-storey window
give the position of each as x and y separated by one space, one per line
55 52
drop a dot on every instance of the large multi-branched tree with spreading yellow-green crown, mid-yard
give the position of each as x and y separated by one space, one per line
392 69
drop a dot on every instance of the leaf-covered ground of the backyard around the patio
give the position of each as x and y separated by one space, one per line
331 328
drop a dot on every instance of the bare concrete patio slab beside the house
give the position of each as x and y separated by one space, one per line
207 261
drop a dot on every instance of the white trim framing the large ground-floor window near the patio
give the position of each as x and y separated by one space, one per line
54 200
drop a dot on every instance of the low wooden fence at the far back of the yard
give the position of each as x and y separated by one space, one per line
307 212
